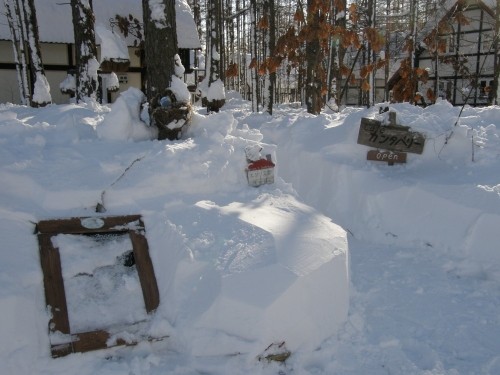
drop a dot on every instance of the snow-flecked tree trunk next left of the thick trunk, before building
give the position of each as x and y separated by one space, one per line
85 50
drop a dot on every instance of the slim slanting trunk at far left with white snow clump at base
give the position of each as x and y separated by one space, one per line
40 90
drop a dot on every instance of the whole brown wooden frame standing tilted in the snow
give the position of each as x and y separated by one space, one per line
55 296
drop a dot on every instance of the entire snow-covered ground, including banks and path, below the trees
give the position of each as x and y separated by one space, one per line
360 267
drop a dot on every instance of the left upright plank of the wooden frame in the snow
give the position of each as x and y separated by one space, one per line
55 297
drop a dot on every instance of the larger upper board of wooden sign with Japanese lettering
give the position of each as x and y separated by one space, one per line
390 137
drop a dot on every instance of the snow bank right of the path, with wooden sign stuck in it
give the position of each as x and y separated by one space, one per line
405 203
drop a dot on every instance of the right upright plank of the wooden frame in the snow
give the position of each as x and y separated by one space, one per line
145 270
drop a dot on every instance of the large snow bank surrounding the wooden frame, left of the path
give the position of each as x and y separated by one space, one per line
237 267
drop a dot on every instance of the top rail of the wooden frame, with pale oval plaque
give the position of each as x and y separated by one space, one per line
76 225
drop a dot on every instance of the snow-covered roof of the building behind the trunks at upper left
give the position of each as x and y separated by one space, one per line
56 26
